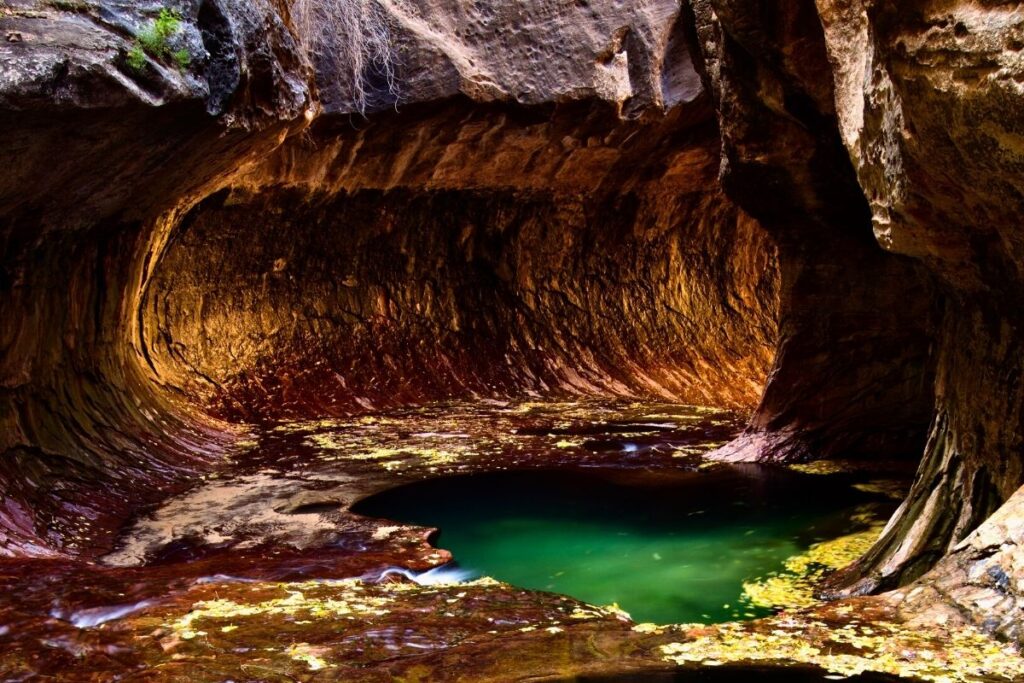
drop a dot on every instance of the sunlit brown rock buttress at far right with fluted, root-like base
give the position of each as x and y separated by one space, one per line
933 132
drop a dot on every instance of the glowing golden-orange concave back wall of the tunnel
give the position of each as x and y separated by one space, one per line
613 268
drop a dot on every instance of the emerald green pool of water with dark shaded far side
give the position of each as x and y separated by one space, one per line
665 548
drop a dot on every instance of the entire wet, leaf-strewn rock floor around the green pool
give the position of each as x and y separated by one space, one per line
262 573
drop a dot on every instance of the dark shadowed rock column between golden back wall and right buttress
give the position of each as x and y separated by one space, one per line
852 373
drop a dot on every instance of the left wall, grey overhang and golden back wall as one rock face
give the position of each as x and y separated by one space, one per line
530 207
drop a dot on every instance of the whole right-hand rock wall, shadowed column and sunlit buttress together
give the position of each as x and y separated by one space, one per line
918 104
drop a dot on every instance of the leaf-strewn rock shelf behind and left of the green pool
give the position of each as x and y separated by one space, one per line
292 485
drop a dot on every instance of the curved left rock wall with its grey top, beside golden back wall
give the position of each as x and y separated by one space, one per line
95 154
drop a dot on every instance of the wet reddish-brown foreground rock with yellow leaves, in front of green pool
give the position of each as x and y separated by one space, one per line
349 630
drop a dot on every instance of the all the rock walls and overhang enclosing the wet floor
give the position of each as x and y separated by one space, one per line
529 206
